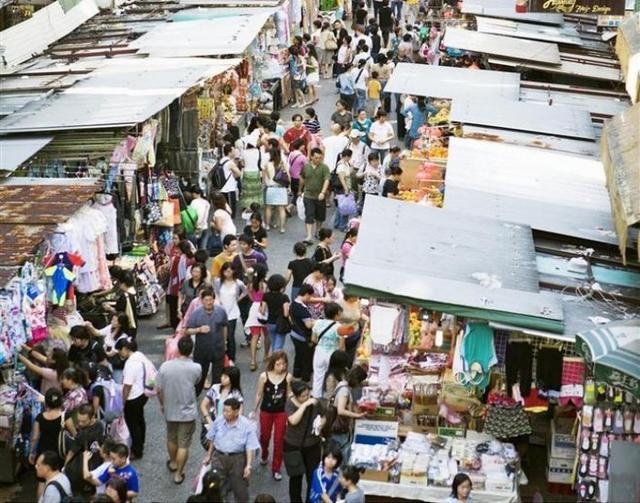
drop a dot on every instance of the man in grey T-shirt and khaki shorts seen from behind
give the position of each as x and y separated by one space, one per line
176 383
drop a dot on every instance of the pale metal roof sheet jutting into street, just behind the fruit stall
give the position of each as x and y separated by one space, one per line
452 83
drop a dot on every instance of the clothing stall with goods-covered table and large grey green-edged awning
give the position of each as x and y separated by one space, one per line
465 348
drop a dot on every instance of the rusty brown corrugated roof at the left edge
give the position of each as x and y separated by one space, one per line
29 212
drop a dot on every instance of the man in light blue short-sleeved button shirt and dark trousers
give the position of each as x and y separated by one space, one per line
233 442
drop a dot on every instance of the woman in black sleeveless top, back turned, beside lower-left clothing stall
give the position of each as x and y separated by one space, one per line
46 429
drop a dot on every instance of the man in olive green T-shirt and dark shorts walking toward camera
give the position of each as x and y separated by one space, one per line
314 184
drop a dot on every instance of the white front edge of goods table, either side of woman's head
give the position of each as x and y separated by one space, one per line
430 493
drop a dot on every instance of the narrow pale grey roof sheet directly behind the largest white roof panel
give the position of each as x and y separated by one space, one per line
571 122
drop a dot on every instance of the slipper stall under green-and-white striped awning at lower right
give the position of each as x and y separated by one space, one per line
609 417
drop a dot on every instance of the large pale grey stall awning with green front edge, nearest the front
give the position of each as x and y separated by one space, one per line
440 259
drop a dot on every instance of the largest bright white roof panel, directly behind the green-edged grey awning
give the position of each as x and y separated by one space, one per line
549 191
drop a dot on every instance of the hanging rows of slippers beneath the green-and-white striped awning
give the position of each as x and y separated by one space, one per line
607 416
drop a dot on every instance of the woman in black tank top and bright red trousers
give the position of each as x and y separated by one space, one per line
271 396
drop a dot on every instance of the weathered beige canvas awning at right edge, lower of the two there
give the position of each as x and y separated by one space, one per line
620 148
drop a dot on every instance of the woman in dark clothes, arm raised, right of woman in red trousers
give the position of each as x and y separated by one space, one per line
302 444
